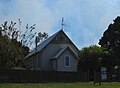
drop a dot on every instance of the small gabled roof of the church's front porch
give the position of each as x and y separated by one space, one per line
62 51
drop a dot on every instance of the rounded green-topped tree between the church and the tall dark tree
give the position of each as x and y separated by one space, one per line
89 57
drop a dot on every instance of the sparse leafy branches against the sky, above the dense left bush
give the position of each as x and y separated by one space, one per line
11 31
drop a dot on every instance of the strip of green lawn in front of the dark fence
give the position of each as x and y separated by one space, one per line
59 85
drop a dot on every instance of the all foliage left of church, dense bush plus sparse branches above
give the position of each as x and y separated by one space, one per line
14 43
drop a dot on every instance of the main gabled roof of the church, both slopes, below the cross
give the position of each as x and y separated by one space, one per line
42 45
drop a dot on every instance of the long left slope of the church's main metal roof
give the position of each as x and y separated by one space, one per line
42 45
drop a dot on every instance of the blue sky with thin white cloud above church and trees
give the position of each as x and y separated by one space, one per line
85 20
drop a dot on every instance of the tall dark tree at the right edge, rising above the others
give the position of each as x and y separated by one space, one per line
111 41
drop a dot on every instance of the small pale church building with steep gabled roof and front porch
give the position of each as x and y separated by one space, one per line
56 53
